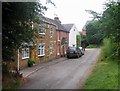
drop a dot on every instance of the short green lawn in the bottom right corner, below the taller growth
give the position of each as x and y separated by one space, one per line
105 76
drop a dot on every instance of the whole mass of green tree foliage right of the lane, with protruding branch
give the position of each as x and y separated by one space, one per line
106 26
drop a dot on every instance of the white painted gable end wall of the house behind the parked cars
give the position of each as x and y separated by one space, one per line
72 35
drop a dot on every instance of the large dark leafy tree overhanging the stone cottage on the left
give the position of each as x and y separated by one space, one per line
17 18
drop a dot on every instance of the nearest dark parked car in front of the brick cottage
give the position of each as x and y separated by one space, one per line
73 52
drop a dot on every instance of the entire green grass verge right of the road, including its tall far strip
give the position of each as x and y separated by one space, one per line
105 73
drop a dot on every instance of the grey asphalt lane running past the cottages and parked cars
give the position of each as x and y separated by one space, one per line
68 74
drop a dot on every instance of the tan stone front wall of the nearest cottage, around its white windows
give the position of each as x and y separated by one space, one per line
41 38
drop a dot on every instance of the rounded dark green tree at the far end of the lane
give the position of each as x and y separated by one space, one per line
94 34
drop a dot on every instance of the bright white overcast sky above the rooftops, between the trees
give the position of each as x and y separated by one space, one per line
73 11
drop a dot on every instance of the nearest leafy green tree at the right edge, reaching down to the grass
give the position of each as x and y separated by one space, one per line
110 24
